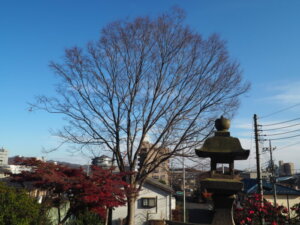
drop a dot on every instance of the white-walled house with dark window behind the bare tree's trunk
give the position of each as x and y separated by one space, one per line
154 203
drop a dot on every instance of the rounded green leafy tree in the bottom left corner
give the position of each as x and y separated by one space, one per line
18 208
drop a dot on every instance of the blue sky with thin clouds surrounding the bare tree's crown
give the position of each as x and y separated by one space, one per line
262 35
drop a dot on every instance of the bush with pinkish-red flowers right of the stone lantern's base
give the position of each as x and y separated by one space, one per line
251 210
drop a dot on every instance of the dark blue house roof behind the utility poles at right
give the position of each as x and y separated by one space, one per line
250 187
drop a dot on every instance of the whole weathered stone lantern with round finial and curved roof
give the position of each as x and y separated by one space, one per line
223 149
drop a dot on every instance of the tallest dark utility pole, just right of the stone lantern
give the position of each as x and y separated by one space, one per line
258 169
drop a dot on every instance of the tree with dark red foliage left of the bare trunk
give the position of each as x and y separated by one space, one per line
100 190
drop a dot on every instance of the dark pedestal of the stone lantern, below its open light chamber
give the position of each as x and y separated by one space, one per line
223 194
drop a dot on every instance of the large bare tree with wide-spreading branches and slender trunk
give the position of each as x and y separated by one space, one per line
147 77
